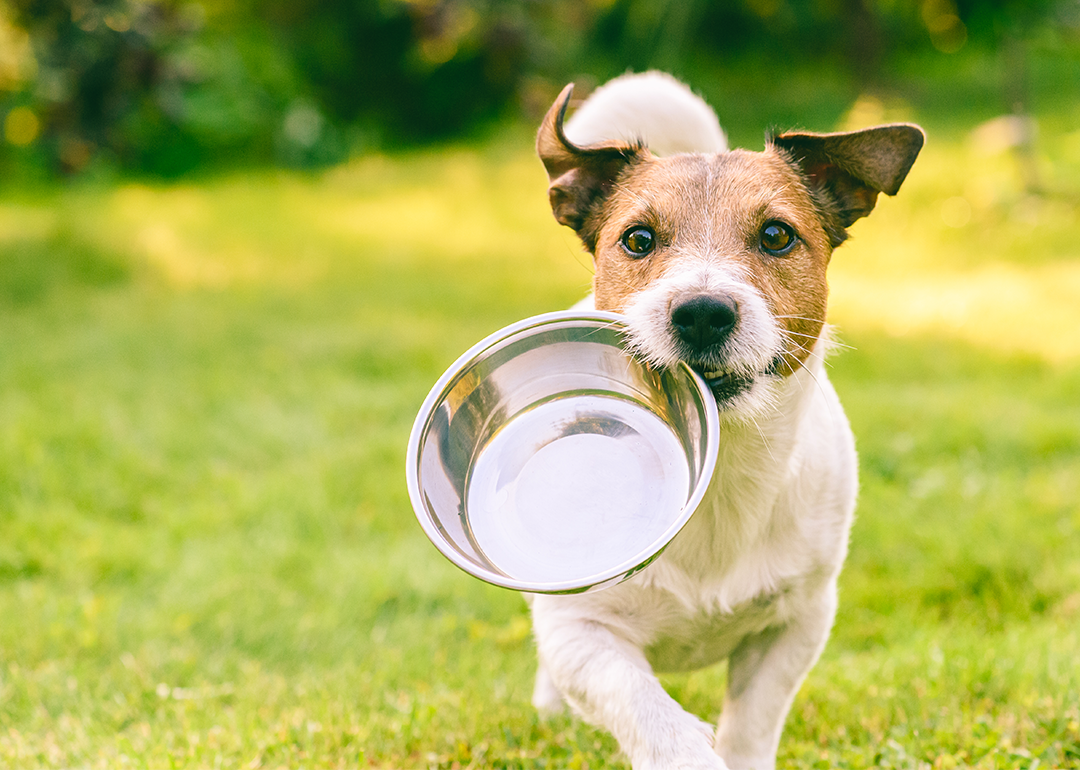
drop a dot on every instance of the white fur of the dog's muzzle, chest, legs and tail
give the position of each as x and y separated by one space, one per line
753 576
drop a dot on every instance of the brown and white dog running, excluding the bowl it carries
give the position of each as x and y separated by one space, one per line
717 259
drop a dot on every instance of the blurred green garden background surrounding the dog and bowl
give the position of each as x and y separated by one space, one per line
239 242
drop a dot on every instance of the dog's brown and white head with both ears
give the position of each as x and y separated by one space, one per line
720 260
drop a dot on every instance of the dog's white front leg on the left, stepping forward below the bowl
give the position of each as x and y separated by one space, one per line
610 683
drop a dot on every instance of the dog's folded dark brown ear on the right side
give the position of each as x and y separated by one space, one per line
847 171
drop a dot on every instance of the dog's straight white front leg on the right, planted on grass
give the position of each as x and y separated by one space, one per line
764 674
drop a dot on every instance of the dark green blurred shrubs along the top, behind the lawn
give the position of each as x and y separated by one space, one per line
170 87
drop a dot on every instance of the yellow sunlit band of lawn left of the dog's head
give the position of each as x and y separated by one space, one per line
460 211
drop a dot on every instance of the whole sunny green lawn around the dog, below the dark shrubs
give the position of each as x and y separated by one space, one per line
208 557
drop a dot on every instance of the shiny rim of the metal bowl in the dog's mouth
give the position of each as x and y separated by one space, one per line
611 576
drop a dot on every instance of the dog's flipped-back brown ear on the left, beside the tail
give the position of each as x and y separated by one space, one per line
580 178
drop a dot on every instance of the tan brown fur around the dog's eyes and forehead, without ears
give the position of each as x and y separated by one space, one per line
714 208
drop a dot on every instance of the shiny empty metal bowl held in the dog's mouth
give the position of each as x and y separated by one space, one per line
549 461
